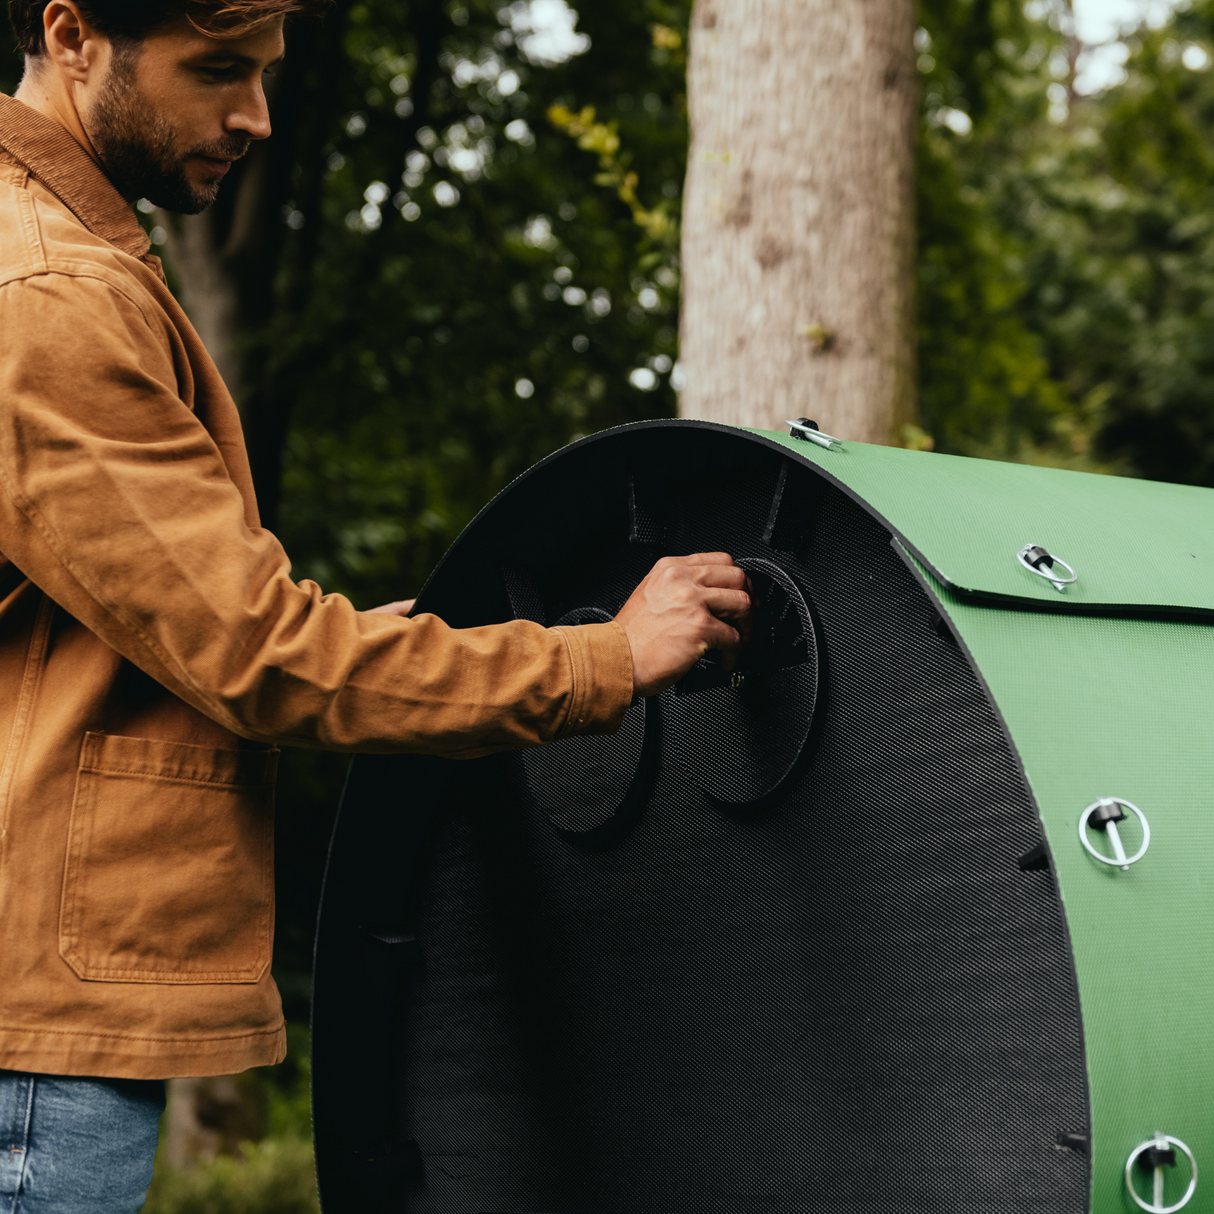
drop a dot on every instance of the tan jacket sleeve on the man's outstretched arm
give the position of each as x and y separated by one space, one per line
117 503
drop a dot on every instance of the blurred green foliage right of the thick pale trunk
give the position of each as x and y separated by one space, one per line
1066 252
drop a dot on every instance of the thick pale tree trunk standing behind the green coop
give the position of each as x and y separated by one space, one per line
798 243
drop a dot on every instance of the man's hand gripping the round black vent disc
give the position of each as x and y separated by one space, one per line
687 606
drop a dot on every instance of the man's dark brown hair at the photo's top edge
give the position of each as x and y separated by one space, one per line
132 21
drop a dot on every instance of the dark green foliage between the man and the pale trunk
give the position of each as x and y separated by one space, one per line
447 348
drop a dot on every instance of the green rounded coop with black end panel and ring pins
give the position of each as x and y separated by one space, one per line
825 933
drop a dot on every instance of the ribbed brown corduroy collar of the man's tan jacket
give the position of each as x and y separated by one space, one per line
55 158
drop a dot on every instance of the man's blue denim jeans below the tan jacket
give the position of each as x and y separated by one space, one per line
77 1147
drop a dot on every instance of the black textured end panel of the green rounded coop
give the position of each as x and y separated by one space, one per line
846 997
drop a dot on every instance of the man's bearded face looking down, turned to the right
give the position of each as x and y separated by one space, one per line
173 115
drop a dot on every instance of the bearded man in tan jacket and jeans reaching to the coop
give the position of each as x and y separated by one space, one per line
154 648
